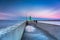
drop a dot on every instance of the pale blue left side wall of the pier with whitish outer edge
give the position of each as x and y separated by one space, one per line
12 33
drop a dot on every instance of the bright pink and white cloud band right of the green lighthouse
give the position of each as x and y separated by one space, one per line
49 13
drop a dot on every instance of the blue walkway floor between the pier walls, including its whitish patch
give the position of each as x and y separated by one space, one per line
33 33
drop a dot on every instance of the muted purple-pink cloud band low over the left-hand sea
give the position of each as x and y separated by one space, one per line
9 16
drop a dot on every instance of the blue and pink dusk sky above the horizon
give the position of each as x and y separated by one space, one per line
38 9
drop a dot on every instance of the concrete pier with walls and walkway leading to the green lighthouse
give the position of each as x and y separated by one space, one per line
32 31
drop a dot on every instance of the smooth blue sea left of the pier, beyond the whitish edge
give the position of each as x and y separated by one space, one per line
7 23
